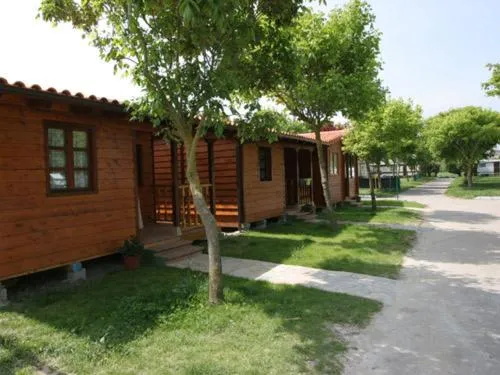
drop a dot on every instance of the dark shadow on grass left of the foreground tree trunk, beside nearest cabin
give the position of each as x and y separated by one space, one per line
116 311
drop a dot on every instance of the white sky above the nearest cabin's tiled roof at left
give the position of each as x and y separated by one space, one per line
35 52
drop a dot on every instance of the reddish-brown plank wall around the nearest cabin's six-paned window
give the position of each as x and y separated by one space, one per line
38 231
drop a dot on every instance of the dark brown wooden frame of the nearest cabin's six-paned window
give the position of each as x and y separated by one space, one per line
68 128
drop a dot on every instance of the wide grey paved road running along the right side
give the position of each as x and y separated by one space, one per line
445 315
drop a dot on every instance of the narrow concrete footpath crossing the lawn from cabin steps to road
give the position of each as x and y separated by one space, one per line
378 288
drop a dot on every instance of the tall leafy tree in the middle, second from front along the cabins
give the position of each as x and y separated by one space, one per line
332 66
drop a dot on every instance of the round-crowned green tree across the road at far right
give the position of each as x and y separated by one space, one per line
463 136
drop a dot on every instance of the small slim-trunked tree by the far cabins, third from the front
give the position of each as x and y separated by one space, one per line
365 140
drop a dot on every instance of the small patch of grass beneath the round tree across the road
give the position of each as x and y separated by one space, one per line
481 186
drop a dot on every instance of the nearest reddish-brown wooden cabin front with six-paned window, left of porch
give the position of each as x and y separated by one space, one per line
69 186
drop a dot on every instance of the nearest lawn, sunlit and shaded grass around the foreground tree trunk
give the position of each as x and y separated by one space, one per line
156 320
